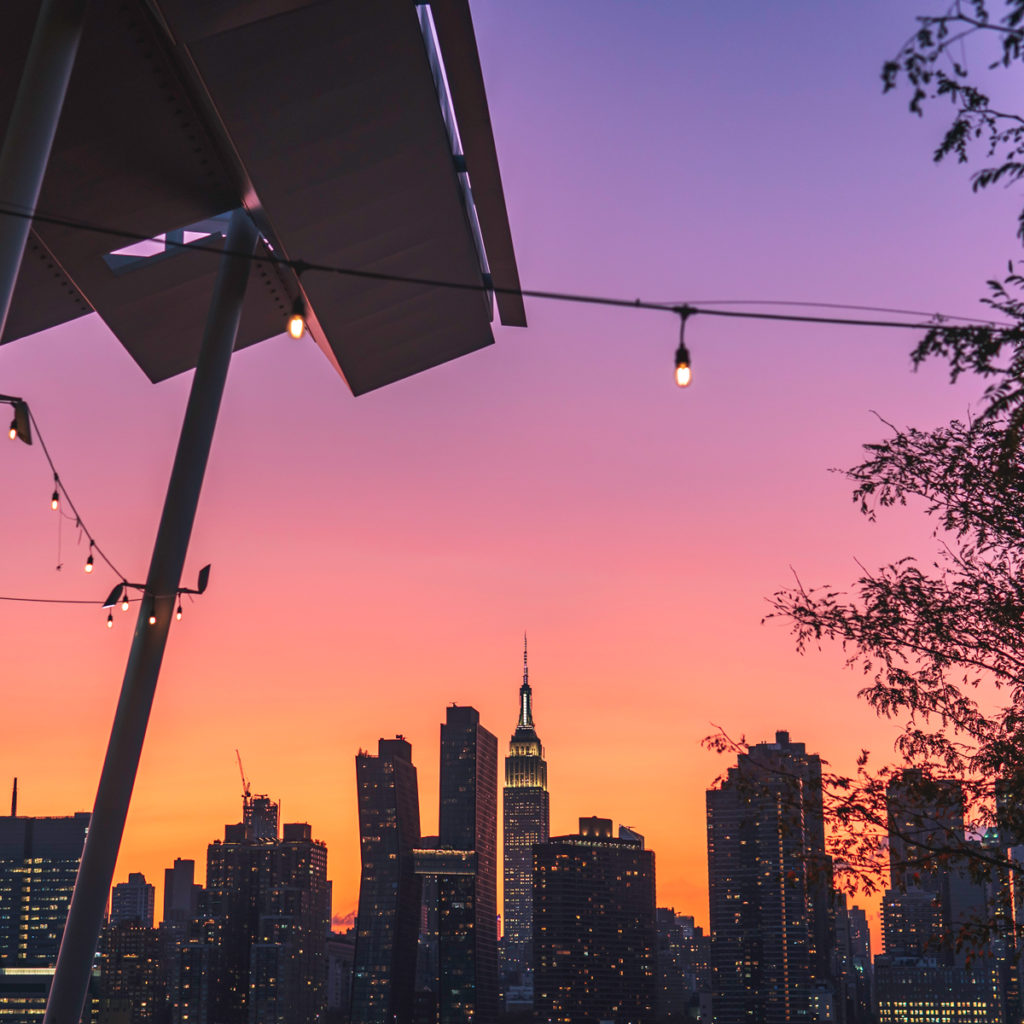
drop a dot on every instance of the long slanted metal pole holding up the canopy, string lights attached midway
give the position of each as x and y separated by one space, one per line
96 873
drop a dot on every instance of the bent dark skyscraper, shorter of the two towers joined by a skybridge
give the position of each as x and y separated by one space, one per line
385 970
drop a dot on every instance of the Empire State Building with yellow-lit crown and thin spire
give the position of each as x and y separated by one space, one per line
527 821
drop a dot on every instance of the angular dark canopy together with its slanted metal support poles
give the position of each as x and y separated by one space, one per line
246 143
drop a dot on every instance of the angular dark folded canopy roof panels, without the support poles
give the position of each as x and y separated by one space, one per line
355 135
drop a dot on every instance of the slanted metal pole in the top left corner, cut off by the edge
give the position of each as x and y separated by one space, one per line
31 130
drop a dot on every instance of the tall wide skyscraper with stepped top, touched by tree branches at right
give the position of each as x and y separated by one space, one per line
771 887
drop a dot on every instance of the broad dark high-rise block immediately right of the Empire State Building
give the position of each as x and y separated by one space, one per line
595 936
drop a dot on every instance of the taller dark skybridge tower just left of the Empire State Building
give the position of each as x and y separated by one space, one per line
467 886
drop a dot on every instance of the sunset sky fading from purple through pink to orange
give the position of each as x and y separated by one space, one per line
375 560
